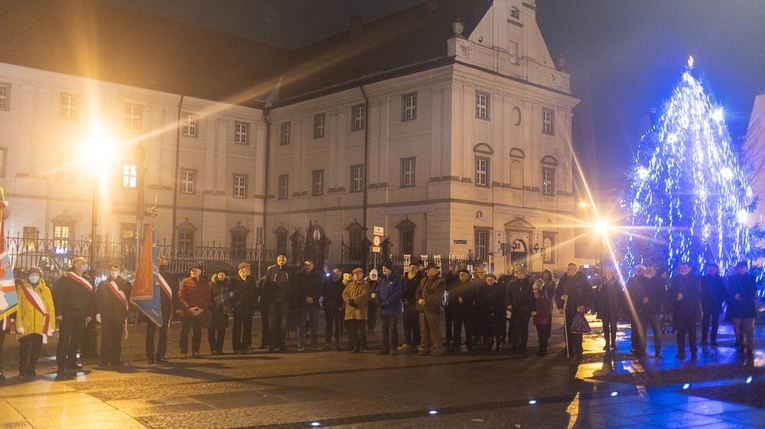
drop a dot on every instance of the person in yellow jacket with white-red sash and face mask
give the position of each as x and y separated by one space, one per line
35 320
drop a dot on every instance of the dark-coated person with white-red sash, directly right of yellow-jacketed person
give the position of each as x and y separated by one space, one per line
75 307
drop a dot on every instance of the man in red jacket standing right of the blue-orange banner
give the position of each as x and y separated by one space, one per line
194 297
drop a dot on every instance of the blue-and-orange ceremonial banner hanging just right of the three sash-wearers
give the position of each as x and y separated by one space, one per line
146 287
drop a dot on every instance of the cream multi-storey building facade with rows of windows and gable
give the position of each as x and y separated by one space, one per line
471 157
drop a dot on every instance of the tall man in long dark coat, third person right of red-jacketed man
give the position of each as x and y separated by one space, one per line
277 292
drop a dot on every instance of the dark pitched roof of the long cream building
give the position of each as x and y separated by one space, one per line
107 43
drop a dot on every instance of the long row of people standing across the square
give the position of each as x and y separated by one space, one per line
481 310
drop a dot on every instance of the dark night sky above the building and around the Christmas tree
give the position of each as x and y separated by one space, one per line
625 57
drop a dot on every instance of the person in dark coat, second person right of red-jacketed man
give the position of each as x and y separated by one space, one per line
243 302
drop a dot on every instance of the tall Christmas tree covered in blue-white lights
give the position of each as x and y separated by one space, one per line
688 198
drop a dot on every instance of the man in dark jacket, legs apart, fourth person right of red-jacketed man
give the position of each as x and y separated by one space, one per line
309 281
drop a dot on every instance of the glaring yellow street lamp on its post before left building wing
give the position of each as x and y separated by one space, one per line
99 153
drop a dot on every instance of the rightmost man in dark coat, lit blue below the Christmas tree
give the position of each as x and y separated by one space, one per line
742 290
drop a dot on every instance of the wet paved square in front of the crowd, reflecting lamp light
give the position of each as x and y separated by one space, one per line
342 389
